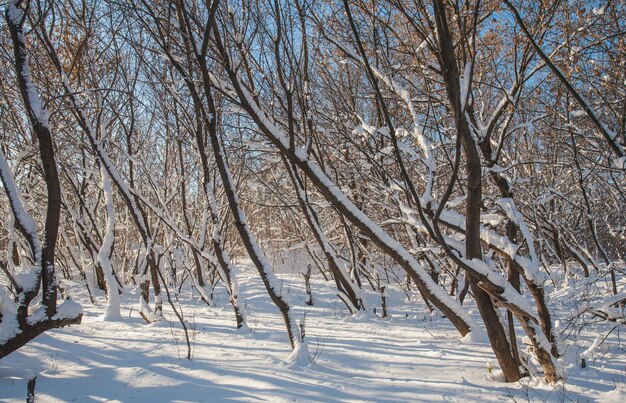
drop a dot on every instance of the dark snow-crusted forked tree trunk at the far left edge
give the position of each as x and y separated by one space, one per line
21 326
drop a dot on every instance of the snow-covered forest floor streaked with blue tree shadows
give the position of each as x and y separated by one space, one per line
408 356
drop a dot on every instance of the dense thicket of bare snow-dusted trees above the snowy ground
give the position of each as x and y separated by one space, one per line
475 147
